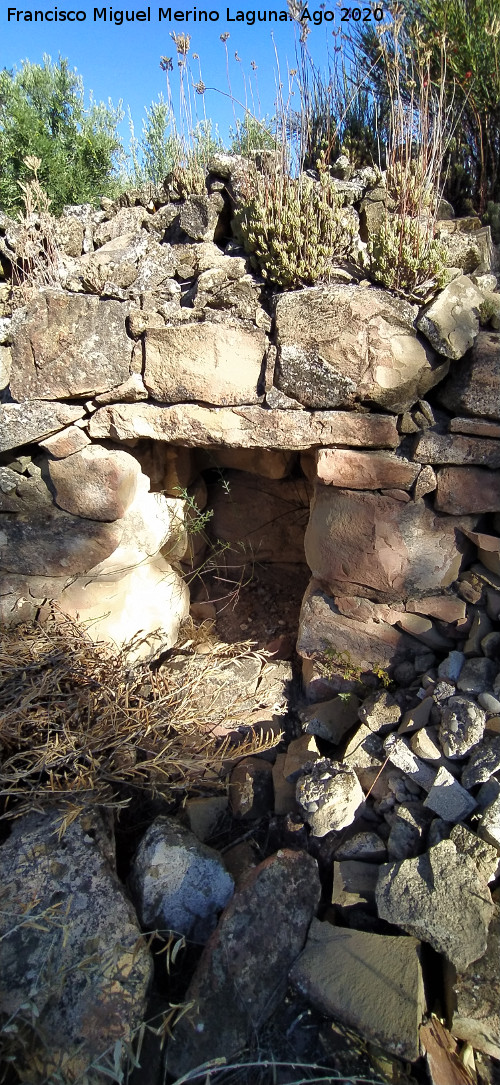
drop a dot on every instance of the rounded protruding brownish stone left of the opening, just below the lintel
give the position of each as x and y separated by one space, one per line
96 483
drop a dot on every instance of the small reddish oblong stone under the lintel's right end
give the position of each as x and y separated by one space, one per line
353 470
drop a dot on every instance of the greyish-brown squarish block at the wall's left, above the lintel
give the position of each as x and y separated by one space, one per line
69 346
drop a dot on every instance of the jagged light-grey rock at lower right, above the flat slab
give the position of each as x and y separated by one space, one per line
440 898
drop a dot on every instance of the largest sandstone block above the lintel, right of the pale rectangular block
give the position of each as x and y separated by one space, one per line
341 344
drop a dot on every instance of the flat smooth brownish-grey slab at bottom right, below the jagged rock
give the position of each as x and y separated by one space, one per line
371 982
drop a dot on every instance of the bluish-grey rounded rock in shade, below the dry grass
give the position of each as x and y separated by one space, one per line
177 883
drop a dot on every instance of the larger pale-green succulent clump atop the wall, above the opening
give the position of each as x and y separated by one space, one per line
293 227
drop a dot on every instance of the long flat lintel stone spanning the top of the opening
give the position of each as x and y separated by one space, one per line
243 428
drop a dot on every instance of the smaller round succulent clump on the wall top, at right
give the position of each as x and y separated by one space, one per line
405 258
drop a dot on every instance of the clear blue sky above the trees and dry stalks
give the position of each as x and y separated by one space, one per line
123 61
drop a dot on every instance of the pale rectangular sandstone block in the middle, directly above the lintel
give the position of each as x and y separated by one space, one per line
211 363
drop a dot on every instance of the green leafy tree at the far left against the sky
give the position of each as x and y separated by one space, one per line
43 114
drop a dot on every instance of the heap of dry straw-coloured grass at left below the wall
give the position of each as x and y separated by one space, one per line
79 725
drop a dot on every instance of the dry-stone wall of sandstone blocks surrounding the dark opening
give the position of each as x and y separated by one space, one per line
157 339
